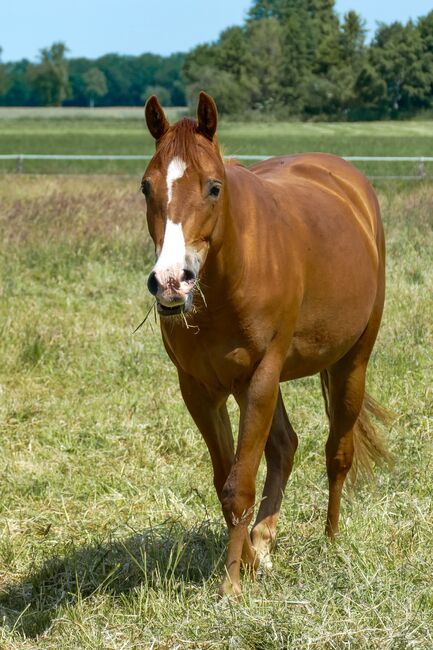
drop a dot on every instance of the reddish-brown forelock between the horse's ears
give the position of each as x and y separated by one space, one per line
181 141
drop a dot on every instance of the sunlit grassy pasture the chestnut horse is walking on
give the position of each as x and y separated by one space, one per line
111 536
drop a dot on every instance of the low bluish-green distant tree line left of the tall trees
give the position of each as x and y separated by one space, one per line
110 80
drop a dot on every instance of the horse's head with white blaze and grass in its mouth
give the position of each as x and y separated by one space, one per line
184 187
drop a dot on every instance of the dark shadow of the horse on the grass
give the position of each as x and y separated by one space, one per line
163 557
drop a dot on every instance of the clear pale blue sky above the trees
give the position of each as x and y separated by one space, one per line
94 27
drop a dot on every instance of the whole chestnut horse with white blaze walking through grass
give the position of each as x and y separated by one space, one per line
263 275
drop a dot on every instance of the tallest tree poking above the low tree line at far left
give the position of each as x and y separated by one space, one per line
49 78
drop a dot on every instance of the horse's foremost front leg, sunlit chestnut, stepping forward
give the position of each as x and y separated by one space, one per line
257 405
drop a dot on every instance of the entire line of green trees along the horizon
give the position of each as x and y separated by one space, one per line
290 58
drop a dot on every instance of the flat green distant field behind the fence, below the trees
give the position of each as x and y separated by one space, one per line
122 131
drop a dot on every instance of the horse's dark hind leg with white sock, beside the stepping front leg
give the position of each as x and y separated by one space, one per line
279 453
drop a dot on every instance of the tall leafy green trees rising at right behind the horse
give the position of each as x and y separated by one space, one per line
297 58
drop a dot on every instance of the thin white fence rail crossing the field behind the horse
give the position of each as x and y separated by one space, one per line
21 157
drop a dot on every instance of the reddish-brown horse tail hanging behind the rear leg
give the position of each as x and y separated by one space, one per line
369 448
